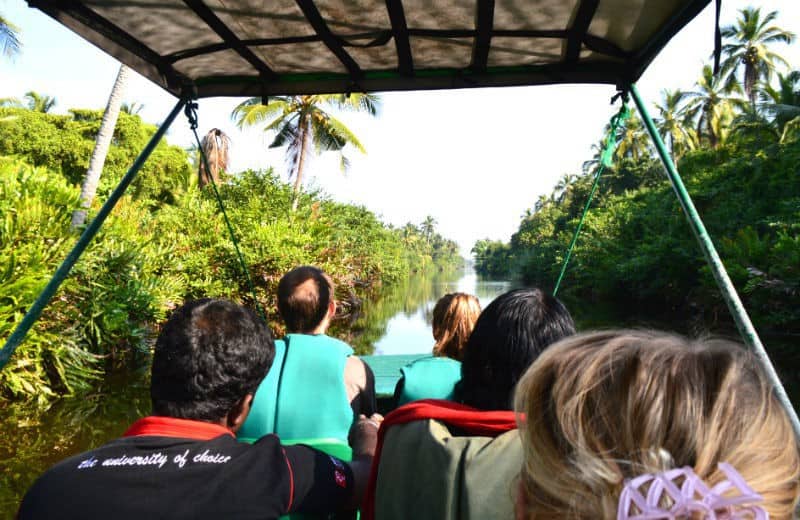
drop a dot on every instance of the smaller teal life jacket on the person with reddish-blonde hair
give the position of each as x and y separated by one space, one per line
428 378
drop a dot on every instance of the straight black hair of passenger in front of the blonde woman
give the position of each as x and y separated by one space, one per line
509 335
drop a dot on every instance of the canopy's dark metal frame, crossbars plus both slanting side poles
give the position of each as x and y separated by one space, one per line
266 81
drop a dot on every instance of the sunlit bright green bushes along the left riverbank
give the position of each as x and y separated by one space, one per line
165 242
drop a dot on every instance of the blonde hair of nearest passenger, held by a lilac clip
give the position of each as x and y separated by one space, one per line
604 407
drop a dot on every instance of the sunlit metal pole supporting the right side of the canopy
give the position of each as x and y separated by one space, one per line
724 283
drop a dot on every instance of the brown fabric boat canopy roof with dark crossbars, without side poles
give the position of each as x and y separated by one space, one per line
615 58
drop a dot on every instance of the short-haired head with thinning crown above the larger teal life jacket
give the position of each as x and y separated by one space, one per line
303 297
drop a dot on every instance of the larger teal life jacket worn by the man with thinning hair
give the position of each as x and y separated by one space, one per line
303 395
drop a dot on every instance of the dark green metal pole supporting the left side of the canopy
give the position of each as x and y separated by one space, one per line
88 234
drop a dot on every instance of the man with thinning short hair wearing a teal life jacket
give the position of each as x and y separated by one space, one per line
317 387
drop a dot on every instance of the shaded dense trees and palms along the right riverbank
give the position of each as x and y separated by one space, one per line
738 159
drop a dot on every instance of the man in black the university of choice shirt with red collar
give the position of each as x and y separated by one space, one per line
183 461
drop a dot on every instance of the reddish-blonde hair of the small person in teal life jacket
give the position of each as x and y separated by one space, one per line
454 317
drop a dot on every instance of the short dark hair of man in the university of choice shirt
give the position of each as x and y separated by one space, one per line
209 355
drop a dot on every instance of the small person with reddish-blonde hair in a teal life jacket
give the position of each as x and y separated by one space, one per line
454 316
